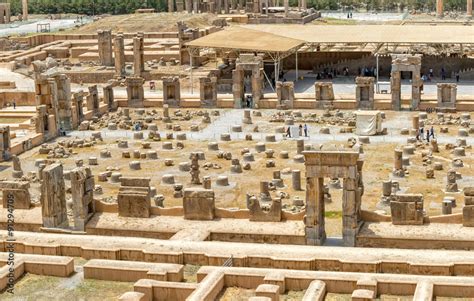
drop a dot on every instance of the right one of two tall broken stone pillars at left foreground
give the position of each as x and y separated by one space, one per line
82 190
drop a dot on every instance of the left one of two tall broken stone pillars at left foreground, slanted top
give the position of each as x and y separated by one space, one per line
53 197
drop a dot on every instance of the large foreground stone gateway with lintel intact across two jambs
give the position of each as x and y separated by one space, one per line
333 164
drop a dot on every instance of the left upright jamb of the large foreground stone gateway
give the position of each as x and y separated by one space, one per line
314 218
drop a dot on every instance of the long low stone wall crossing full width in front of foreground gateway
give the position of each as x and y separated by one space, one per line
92 249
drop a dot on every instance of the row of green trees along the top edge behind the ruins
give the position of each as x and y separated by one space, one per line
97 7
